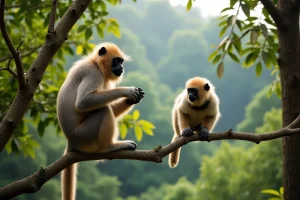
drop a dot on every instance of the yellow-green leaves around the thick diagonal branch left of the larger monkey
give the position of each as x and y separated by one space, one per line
21 17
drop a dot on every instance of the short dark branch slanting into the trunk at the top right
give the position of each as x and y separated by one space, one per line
280 20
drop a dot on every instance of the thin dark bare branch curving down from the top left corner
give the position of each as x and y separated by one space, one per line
14 52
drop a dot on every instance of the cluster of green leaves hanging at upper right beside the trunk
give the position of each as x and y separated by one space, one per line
260 49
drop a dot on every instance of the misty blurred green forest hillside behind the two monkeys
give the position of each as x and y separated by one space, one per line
168 45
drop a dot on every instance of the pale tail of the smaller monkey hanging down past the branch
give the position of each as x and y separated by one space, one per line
174 156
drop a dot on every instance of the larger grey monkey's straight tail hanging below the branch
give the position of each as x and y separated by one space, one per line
68 182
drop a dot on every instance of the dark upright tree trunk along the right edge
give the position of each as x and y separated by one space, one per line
289 65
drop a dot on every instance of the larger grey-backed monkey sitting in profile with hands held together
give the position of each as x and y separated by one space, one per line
88 105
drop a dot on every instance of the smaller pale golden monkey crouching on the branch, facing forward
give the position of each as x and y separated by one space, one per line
196 109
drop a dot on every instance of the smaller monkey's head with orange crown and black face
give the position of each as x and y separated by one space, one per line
197 91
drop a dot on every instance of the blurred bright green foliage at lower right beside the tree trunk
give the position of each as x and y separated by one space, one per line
223 175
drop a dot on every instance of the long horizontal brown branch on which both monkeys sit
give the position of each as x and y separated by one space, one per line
35 181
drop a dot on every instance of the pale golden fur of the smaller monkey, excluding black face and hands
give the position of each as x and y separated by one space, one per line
185 116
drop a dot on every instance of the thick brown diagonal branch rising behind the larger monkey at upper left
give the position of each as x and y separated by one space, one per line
35 73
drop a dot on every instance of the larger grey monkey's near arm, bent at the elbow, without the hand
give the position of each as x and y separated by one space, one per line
89 98
